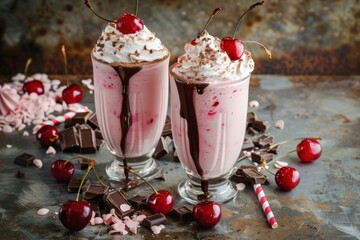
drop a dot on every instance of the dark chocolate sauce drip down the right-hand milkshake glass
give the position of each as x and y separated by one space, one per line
187 112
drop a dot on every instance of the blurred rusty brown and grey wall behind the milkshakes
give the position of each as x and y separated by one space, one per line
319 37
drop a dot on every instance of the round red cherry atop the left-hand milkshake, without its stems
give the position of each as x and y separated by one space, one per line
128 23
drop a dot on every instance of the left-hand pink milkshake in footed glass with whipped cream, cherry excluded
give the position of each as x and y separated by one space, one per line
131 98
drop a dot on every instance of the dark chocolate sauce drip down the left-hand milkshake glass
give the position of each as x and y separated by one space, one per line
125 73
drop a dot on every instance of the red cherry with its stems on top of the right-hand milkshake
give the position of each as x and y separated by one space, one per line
235 47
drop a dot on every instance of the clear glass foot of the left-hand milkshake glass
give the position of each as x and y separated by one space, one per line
146 166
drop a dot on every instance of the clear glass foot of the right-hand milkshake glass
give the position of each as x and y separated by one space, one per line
221 190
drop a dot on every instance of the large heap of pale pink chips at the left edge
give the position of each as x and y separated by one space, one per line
18 109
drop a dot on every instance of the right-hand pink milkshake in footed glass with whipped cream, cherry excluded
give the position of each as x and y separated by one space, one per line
209 98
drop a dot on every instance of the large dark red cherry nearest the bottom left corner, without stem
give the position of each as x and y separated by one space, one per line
75 215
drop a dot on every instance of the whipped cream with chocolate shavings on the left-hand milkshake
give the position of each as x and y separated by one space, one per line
114 46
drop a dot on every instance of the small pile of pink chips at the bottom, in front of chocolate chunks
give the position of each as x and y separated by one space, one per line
122 226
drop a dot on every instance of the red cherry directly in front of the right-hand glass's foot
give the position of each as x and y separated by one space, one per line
207 214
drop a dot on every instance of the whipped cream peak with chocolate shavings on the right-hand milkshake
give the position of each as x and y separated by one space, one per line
206 61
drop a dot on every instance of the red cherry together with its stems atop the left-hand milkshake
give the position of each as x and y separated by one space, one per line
126 23
